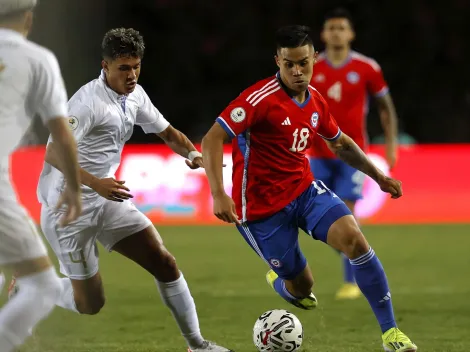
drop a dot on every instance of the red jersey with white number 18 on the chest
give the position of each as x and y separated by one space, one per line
271 134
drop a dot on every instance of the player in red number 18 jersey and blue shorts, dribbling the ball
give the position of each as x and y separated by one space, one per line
272 125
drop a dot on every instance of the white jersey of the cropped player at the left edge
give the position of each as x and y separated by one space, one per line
30 84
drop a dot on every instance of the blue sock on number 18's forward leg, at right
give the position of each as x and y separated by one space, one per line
371 279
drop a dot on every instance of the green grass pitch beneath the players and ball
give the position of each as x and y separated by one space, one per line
428 268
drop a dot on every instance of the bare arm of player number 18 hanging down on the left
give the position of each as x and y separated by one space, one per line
213 152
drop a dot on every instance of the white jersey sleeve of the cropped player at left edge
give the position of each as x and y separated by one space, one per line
49 92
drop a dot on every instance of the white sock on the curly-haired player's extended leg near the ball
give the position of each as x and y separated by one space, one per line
177 297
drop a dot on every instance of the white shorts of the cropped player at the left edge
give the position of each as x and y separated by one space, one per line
19 238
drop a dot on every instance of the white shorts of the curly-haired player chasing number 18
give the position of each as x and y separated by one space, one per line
75 245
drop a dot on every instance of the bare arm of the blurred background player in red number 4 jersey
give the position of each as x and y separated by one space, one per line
388 118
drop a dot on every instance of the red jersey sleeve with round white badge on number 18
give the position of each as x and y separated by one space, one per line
239 115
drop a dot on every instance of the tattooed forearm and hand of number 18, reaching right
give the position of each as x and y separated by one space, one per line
348 151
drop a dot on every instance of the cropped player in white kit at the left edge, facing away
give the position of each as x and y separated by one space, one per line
30 84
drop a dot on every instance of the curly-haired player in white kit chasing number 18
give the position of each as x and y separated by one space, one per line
102 115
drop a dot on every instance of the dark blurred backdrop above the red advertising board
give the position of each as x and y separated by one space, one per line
201 55
